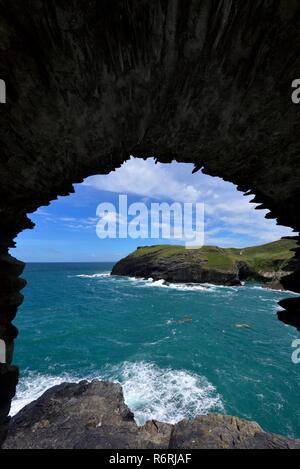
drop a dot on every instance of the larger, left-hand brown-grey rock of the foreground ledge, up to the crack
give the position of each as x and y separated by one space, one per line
83 416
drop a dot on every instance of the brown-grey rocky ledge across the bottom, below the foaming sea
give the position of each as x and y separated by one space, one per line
95 416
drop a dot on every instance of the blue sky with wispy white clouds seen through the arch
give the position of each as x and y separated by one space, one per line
65 230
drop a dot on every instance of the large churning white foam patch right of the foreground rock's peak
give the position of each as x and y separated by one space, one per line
165 394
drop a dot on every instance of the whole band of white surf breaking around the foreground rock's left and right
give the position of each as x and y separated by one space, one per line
150 392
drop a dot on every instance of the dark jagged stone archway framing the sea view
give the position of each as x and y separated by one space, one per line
90 83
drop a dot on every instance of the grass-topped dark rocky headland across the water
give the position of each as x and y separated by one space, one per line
267 264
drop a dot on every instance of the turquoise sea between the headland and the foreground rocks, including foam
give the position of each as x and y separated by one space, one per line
176 350
